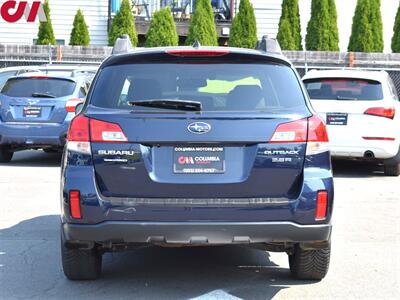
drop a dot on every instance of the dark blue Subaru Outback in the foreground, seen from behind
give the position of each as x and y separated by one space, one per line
194 146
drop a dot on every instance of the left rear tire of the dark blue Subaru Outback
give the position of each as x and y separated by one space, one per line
81 264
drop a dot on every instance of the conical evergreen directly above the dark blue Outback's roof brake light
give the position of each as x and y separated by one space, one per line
202 28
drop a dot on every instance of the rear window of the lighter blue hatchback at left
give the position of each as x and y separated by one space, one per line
28 87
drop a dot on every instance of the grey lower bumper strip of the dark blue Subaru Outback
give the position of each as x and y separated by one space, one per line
192 233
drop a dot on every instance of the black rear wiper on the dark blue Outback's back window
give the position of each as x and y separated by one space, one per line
184 105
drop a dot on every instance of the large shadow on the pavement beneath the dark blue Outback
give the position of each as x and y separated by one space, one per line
30 267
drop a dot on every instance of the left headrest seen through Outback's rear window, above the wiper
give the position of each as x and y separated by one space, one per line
144 89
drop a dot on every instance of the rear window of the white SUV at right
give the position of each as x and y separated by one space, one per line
344 89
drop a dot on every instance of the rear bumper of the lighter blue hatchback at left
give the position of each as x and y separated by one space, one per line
29 135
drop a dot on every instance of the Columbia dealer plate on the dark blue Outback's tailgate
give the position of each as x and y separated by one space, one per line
199 160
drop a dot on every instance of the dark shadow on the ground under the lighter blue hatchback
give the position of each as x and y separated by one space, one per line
34 158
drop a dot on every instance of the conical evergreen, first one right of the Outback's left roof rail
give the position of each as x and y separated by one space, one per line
162 31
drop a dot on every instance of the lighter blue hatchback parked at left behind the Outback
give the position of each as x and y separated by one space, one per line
35 112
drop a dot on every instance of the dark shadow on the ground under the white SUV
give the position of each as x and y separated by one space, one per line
356 169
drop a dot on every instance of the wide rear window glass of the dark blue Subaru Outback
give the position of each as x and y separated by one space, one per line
269 88
